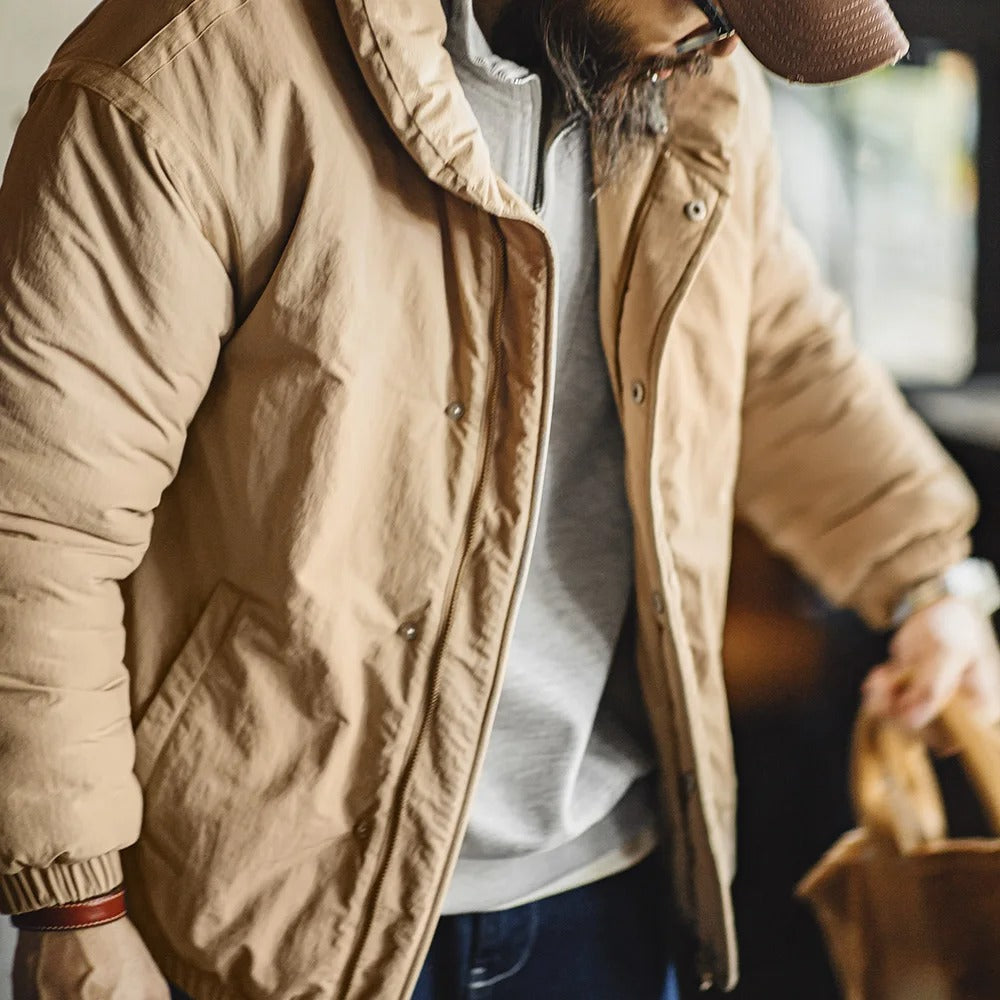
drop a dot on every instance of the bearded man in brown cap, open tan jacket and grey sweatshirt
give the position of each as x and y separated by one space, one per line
443 341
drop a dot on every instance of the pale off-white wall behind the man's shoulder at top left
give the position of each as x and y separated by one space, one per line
30 31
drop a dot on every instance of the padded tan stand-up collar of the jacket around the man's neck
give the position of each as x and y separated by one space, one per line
400 48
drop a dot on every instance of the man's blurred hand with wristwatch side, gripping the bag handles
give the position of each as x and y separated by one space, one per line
942 650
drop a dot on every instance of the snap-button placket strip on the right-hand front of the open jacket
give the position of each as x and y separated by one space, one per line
682 210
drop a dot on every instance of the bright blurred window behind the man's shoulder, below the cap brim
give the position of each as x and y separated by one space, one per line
880 174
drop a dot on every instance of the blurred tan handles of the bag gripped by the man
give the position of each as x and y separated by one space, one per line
894 787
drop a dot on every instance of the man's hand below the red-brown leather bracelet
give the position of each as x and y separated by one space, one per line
109 962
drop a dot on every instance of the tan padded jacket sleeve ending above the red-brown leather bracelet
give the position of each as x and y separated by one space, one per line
113 305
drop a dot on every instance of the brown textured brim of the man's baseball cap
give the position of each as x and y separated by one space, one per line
819 41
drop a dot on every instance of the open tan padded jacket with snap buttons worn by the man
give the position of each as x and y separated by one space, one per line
252 253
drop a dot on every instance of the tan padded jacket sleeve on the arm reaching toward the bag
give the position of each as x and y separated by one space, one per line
837 473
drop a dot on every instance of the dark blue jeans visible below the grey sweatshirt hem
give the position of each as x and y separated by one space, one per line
607 941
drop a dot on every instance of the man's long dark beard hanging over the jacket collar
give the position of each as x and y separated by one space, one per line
592 59
